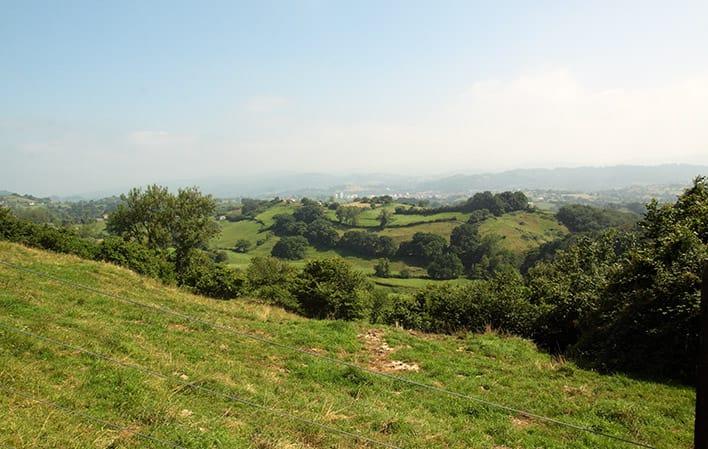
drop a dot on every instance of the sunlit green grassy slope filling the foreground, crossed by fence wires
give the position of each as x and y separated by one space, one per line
195 357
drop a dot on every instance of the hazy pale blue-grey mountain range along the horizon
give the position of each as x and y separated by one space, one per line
580 179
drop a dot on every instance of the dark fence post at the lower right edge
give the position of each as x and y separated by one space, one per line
701 425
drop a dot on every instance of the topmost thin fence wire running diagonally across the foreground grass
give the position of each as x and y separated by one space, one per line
334 360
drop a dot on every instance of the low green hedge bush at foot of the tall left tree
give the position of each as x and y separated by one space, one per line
136 257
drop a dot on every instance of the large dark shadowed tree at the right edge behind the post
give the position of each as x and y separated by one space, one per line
648 319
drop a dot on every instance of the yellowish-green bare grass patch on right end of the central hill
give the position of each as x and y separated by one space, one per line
522 231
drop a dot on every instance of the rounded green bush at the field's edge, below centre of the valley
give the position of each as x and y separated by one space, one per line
330 288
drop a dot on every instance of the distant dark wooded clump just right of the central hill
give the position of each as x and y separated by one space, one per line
580 218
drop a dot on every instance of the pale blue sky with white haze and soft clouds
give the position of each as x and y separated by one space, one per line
105 95
